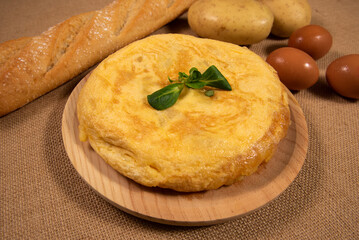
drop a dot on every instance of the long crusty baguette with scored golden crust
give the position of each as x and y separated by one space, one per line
33 66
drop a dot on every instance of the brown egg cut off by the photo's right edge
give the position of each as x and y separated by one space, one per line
343 76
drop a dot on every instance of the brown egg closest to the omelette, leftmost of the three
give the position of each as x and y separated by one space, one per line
296 69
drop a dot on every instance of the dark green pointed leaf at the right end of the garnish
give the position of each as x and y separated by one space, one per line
214 78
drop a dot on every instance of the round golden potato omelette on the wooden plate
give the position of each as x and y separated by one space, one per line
201 142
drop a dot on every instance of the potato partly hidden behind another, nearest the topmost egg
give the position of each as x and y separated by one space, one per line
289 15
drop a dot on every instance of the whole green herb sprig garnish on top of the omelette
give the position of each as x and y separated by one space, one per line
168 96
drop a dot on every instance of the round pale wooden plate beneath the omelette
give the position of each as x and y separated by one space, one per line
188 209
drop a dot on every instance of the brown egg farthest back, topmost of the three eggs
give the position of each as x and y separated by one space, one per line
312 39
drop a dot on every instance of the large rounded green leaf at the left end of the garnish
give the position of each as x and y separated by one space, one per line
165 97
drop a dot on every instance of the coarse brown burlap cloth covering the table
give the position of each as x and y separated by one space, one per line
43 197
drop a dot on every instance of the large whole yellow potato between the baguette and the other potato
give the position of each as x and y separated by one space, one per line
242 22
